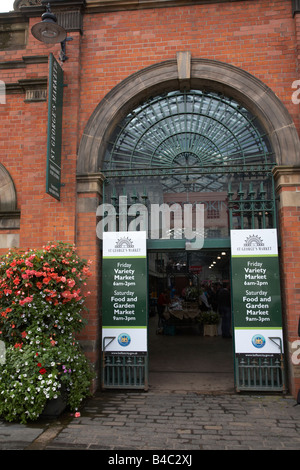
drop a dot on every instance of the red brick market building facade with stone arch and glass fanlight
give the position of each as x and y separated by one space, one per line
132 61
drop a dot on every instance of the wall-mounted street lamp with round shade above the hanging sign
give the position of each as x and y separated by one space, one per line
49 32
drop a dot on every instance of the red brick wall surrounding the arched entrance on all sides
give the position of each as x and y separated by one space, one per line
259 36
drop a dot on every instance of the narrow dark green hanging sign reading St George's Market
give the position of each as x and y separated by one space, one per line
55 107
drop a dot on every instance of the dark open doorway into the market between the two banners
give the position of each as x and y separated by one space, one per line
187 350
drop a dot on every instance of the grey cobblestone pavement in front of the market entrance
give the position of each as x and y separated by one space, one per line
160 420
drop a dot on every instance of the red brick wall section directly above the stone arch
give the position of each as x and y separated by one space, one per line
257 36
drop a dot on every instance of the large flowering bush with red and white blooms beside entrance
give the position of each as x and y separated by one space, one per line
41 306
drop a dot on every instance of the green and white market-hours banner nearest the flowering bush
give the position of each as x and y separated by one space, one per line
124 299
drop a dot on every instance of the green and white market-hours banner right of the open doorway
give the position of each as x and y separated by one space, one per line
256 298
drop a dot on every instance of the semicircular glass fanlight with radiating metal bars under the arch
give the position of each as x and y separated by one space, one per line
185 131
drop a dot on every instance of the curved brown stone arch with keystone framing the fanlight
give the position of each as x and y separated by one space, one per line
189 73
